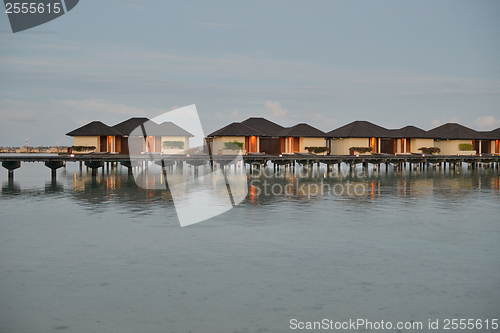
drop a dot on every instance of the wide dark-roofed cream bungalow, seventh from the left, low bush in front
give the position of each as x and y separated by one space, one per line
360 134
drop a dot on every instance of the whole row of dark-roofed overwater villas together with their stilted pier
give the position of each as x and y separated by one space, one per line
261 141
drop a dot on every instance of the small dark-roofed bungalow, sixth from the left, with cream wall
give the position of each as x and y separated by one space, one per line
297 138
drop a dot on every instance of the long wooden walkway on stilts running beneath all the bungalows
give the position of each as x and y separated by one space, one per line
95 161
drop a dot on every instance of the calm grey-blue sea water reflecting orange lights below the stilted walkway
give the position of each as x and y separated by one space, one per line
83 255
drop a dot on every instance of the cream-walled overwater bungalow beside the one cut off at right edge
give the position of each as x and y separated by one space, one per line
456 139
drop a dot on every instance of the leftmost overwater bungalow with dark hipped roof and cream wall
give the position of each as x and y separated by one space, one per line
98 135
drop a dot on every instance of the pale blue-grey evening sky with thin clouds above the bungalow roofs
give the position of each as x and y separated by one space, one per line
326 63
